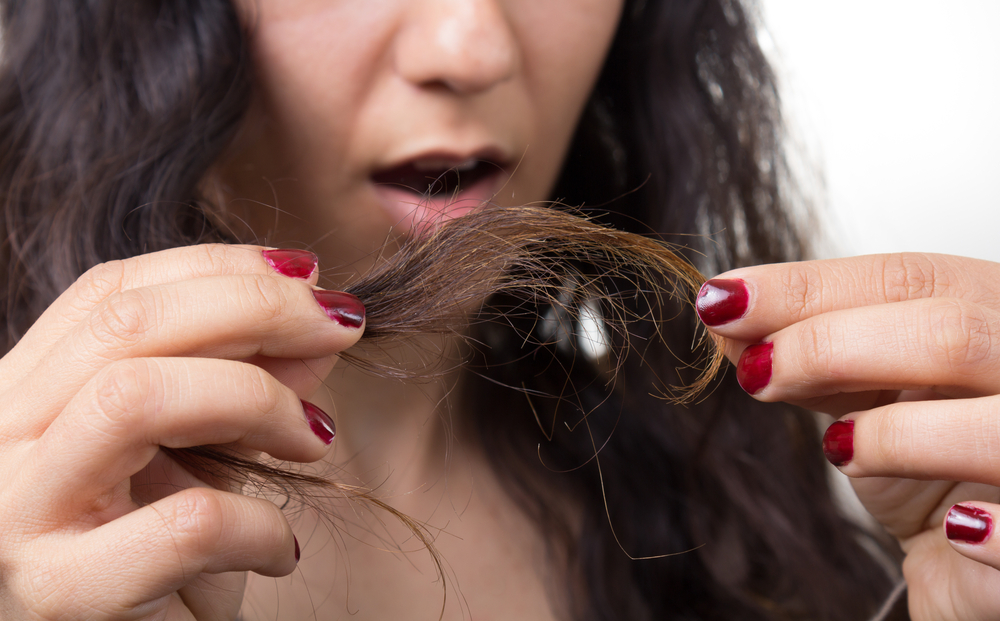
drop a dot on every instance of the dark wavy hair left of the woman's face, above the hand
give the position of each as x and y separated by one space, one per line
110 114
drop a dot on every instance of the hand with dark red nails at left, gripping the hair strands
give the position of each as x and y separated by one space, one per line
206 345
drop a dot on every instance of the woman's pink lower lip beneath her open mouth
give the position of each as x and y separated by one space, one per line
411 212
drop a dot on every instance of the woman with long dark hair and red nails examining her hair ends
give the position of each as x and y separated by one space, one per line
129 129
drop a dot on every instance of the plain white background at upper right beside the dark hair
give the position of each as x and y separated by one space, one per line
897 102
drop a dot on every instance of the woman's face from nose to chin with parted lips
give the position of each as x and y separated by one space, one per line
364 107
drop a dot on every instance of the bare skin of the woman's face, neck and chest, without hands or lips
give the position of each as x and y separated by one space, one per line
430 76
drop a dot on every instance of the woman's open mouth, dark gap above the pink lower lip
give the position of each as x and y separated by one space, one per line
438 178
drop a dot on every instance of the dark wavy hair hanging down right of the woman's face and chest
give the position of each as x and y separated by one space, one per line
687 111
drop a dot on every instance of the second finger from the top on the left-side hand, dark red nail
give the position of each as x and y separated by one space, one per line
232 317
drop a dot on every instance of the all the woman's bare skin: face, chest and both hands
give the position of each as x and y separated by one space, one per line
154 351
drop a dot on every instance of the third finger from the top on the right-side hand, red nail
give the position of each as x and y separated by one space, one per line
946 440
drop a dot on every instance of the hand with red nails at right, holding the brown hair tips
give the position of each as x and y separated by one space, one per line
906 348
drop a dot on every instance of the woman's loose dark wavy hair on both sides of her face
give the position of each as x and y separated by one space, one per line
111 113
